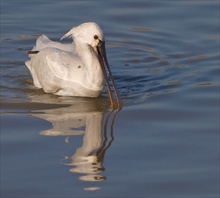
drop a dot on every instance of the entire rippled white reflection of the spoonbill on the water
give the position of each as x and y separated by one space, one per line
89 117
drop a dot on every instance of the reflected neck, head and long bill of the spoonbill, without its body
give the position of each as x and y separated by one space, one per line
88 159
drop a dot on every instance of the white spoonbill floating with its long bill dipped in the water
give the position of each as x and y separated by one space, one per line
75 69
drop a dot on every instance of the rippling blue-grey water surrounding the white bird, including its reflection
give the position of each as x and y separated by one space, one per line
165 141
